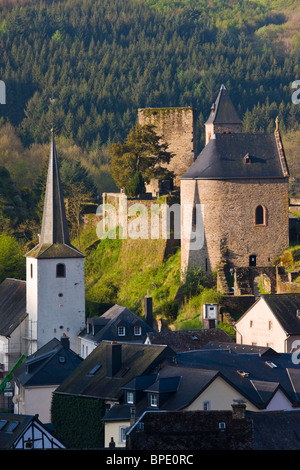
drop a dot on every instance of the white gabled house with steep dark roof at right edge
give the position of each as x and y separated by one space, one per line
273 320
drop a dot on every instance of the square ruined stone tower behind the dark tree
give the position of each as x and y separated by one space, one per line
177 127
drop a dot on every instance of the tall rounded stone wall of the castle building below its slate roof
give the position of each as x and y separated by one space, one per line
230 235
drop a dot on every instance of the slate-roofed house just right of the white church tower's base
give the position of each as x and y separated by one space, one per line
116 324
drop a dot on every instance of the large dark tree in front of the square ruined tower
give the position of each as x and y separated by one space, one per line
142 153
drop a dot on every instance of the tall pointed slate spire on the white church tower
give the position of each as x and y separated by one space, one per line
54 239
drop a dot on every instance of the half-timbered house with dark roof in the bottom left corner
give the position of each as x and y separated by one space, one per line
26 432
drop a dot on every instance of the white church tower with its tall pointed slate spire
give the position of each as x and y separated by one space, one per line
55 288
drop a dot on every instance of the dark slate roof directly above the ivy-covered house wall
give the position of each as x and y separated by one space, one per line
91 377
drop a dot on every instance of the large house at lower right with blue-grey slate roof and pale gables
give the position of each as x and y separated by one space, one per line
209 379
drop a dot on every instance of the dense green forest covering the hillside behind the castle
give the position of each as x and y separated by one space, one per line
85 67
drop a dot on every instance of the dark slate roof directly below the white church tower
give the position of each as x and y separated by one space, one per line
50 365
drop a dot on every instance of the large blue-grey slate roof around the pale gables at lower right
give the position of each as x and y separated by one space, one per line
256 373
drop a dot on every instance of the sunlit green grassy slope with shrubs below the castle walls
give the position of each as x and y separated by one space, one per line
124 271
